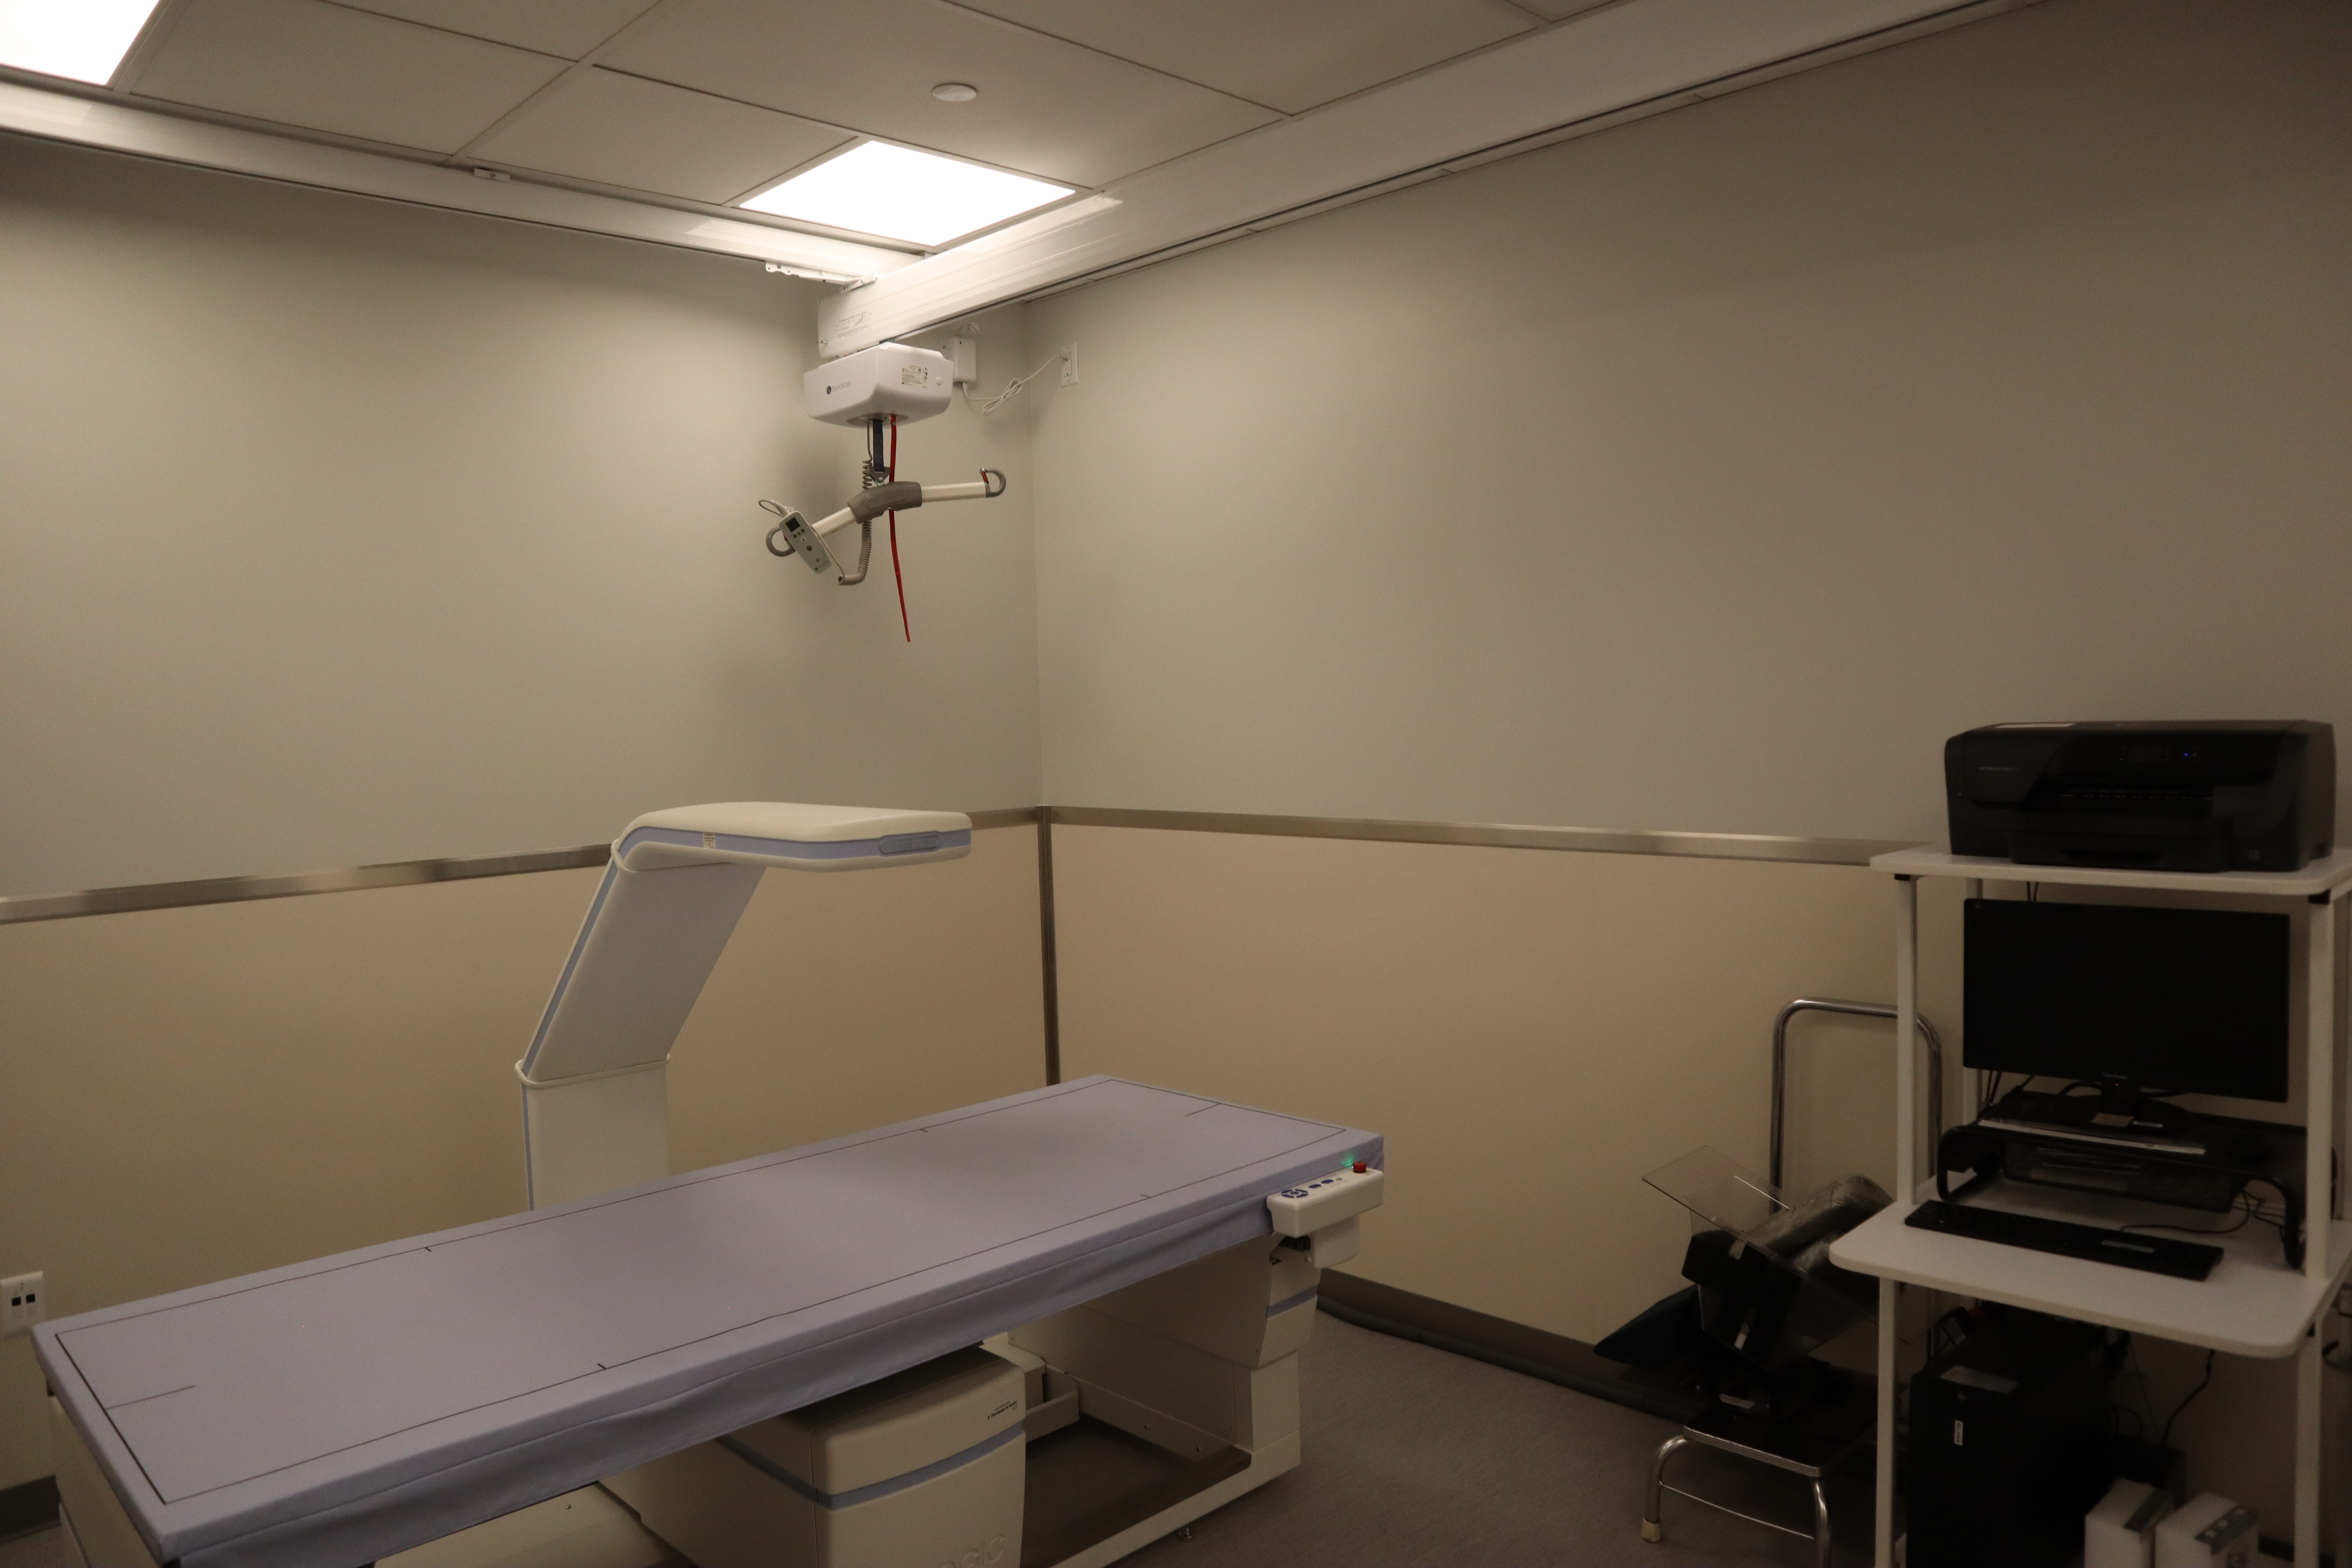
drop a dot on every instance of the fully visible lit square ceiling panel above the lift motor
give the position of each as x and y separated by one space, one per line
902 194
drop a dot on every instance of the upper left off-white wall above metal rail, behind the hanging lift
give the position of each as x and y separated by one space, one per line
340 532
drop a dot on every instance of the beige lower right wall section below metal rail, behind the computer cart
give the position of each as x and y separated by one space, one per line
1535 1031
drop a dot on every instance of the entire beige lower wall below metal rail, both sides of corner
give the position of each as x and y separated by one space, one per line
194 1094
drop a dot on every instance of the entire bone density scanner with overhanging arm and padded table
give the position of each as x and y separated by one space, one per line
827 1355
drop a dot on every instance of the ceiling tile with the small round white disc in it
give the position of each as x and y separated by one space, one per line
1045 107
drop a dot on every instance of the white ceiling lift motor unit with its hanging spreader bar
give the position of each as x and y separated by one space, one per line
881 389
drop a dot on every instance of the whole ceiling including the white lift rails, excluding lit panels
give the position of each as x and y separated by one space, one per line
1182 121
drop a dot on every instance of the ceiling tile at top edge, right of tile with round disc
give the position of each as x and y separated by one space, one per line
1283 53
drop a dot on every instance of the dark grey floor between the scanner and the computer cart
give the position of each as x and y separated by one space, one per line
1417 1459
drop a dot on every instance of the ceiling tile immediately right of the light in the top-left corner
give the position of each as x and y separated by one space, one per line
330 69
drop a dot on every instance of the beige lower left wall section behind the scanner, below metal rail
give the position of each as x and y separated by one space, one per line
194 1094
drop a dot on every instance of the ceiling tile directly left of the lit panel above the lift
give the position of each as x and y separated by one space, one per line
624 130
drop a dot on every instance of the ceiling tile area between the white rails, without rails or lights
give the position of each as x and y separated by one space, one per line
714 100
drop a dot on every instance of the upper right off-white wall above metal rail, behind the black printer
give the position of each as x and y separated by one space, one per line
1711 471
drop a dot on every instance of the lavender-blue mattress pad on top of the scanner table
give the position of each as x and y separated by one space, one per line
345 1409
